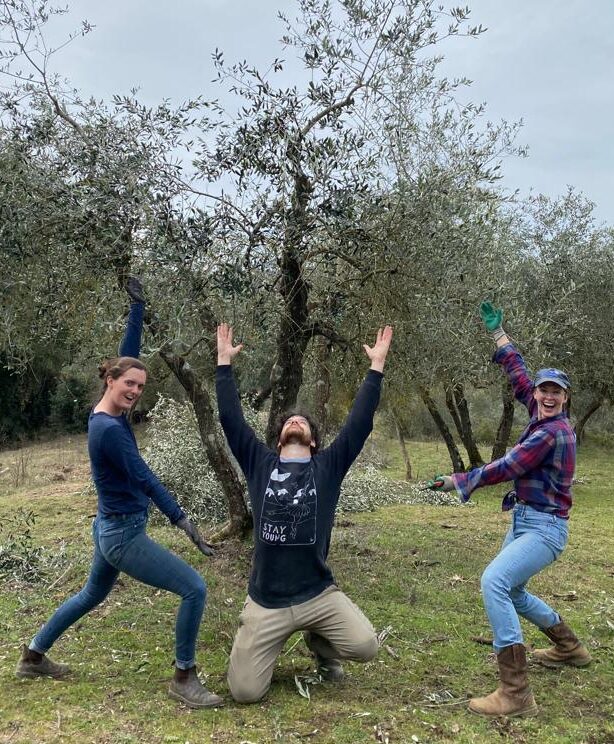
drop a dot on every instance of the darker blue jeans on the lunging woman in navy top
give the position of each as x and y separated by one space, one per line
121 544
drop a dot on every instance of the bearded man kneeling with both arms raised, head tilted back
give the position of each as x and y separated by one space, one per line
294 494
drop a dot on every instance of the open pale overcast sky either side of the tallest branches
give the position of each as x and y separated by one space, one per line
547 62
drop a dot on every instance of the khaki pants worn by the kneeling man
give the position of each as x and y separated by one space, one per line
337 629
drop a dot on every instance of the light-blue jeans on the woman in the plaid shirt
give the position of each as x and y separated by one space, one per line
535 539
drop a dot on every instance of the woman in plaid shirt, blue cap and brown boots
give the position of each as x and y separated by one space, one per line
541 464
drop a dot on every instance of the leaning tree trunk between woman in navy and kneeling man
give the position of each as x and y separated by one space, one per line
240 521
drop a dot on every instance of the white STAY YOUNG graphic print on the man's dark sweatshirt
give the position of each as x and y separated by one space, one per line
289 509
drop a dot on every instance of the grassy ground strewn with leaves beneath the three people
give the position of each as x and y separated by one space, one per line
414 570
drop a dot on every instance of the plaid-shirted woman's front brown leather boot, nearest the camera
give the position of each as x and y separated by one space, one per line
513 697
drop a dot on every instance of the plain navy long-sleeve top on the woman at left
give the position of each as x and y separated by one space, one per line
123 480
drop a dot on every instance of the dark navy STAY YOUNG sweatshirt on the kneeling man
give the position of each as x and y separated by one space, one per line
293 501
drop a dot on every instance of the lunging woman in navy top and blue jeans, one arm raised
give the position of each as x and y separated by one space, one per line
125 486
